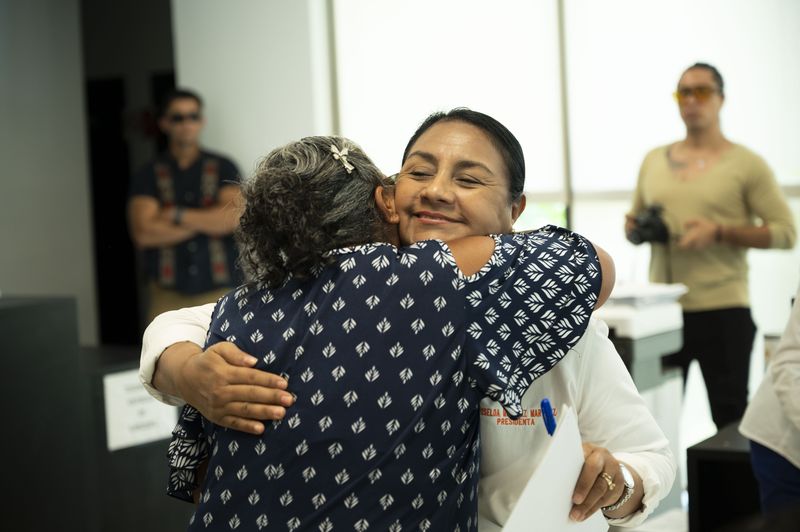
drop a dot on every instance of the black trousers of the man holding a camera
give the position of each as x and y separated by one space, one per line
721 341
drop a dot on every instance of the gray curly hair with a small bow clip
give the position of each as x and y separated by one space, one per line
303 201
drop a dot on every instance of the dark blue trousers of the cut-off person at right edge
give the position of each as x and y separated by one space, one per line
778 479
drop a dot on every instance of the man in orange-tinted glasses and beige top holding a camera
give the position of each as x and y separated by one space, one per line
716 199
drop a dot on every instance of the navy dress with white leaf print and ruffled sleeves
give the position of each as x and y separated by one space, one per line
389 352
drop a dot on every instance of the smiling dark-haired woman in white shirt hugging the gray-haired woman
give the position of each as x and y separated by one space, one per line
462 174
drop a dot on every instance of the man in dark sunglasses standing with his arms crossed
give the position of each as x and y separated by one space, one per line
183 208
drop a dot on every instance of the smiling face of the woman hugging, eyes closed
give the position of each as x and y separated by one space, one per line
454 183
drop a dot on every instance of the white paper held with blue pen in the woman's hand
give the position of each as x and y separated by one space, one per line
546 501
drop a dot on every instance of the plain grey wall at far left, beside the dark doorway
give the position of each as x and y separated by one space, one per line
45 232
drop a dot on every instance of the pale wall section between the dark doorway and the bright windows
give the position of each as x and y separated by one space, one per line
260 66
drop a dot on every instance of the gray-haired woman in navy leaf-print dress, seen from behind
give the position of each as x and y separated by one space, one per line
341 299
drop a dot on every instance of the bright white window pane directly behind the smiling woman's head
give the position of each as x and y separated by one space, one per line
399 61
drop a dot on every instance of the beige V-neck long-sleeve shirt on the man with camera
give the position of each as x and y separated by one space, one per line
738 190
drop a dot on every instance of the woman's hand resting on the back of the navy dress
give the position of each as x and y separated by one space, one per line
222 384
